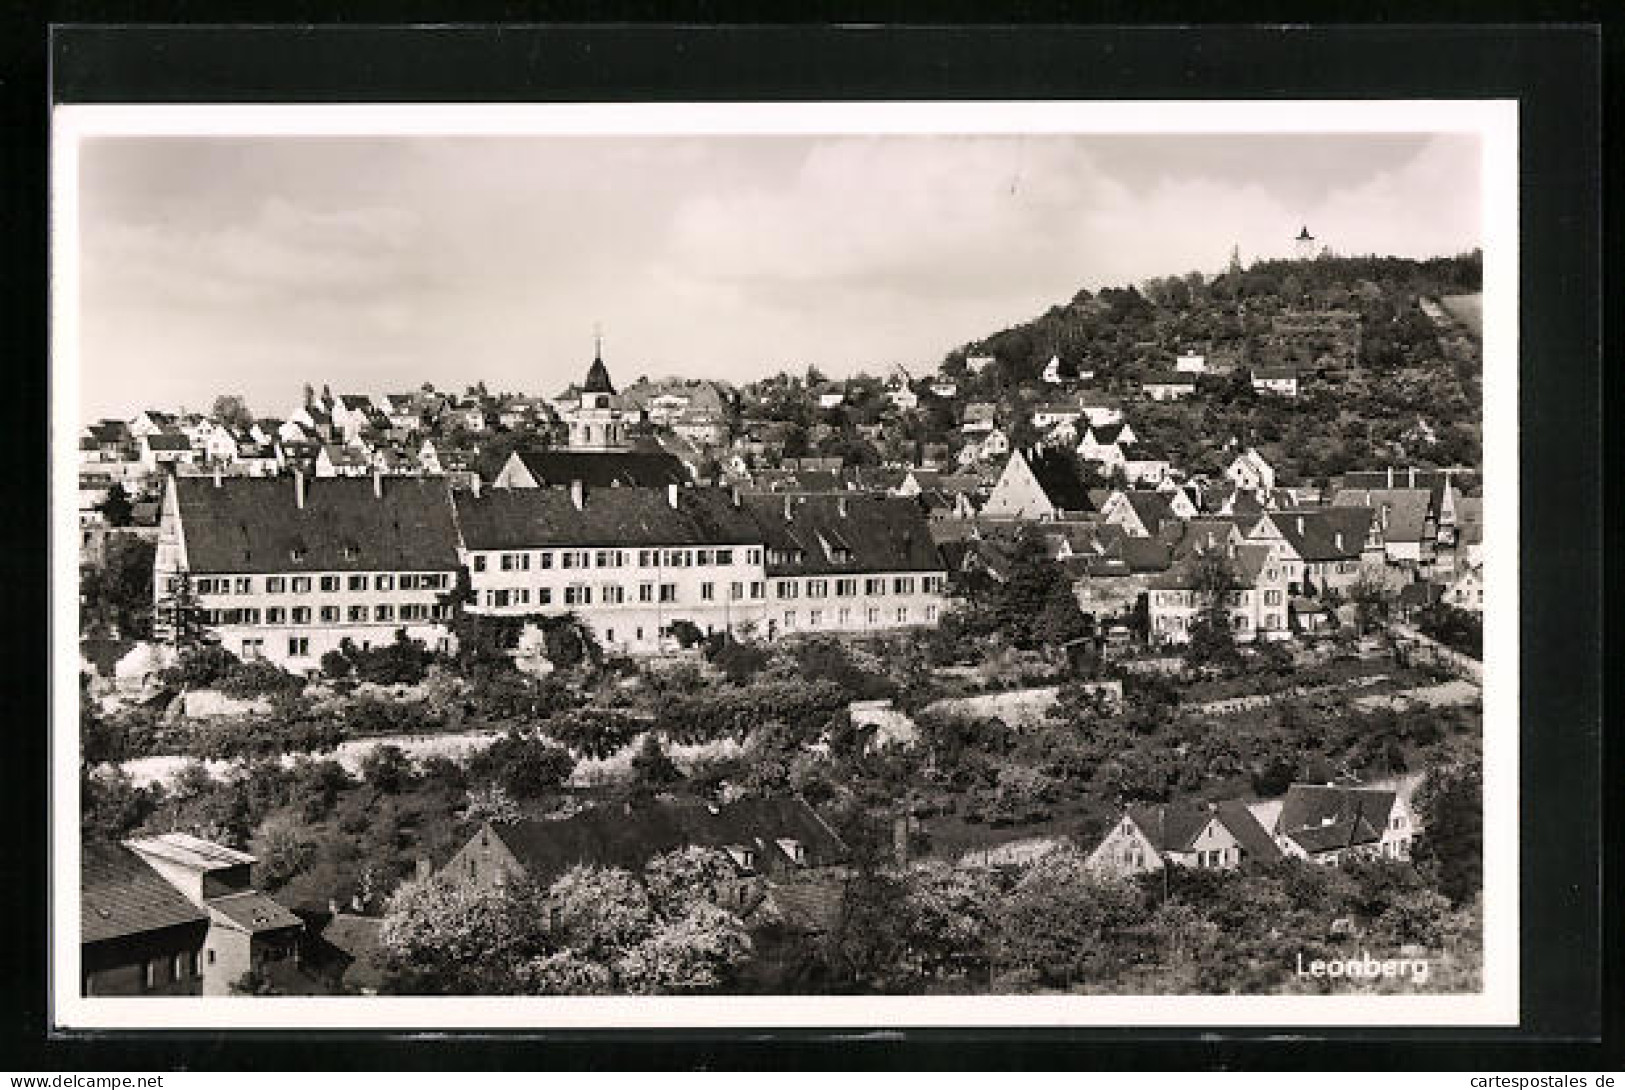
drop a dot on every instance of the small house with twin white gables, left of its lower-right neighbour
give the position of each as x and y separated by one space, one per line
1210 836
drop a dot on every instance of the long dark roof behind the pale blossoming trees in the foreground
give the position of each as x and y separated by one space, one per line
630 837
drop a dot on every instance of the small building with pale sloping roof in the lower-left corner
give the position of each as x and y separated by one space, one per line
248 932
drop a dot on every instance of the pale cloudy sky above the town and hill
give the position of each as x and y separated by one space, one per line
254 266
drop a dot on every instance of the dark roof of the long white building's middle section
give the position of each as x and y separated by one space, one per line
625 517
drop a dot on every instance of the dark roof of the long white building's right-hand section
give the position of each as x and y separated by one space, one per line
859 532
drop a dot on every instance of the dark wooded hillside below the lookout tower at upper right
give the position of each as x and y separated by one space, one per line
1364 387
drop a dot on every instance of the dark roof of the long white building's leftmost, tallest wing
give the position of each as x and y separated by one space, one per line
251 526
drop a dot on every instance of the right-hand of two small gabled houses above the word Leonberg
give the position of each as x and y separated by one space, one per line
1330 824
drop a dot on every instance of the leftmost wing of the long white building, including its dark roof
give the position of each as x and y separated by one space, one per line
288 569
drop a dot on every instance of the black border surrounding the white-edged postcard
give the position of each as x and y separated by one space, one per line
1553 71
